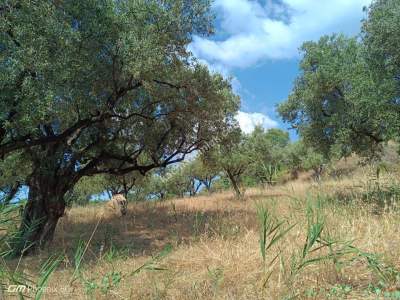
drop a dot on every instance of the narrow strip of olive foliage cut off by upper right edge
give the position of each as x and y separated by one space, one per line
382 51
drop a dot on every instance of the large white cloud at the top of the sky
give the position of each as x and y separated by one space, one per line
274 30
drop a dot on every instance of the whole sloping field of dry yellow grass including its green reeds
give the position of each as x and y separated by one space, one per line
330 240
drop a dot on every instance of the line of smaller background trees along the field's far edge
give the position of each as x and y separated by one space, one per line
263 157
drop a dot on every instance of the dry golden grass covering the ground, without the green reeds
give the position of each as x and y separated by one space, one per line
216 254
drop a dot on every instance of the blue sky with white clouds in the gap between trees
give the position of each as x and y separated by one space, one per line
257 42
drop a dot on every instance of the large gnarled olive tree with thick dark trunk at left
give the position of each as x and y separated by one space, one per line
93 87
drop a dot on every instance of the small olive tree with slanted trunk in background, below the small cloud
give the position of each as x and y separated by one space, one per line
248 159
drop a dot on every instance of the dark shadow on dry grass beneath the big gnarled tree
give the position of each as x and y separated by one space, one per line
145 230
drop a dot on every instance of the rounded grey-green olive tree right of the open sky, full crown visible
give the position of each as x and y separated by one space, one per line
336 105
